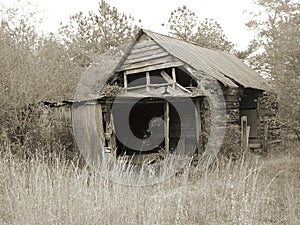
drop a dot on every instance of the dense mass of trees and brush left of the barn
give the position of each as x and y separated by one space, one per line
36 67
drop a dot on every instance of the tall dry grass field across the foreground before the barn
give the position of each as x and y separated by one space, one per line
256 190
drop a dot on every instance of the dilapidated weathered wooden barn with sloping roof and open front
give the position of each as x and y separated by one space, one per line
154 66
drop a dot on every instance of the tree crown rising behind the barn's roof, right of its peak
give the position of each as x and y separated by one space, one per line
183 24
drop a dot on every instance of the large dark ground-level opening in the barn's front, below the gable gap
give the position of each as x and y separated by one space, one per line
148 118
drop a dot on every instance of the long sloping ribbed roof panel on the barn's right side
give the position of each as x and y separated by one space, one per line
223 66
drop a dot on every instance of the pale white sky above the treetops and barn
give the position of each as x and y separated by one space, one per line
231 14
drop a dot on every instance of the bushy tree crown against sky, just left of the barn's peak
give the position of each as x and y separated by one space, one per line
89 35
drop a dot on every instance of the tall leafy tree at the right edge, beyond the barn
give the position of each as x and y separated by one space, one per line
278 35
